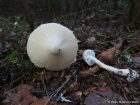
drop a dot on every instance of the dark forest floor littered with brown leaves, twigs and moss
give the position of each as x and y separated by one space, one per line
23 83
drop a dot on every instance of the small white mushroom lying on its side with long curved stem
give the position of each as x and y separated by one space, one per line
89 57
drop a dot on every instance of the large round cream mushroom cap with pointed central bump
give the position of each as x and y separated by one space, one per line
52 46
